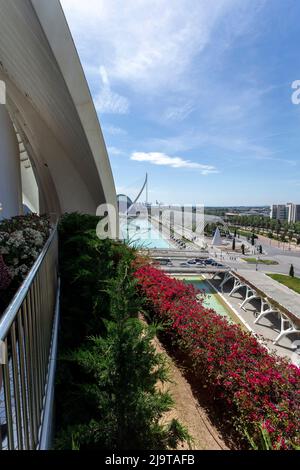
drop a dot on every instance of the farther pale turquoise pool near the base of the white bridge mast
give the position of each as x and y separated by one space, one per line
141 233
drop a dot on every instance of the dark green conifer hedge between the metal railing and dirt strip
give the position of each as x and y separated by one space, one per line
107 395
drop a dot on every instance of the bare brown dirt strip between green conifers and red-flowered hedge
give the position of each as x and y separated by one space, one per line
189 412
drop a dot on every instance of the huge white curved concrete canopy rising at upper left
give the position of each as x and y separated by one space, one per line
51 107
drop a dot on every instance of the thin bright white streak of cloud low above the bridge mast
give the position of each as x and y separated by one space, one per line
158 158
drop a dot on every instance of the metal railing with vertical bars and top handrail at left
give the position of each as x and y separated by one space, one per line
26 333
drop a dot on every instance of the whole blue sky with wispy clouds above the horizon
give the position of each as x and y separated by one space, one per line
197 93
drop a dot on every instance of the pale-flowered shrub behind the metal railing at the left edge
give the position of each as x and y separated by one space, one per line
21 241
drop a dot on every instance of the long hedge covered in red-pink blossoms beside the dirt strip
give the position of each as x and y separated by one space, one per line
252 385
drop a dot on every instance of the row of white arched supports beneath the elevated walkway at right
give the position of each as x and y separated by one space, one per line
287 324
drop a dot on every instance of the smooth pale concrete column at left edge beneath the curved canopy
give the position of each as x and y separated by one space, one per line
10 171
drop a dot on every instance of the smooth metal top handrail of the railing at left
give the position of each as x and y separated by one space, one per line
10 313
